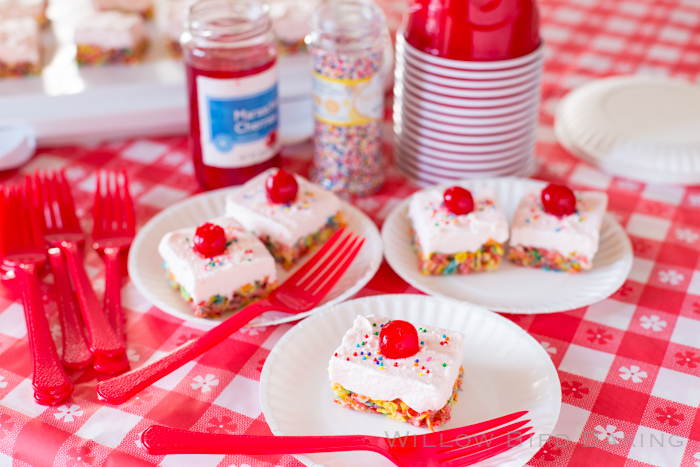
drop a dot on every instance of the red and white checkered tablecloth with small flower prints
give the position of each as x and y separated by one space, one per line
629 365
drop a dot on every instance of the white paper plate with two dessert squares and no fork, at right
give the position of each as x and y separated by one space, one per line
511 288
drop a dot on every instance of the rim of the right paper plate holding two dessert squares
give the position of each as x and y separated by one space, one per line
628 255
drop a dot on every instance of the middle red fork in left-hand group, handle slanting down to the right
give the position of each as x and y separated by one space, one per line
62 229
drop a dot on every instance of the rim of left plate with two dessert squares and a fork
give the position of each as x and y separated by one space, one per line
142 234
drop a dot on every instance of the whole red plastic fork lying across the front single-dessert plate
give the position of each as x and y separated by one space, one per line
450 448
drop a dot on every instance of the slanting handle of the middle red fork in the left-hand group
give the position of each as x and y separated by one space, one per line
103 339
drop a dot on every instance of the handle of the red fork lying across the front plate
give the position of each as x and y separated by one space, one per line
163 440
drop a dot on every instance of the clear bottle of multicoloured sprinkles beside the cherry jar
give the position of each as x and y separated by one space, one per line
346 43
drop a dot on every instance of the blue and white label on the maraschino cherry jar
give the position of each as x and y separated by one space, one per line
238 119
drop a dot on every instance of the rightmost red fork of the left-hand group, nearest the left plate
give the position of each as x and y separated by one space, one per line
112 232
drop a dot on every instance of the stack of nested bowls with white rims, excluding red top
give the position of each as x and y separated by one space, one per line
464 119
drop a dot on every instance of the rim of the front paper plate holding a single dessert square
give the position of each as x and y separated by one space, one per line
470 307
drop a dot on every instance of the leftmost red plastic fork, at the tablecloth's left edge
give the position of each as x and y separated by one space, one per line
22 251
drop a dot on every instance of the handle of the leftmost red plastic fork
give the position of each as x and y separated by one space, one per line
49 375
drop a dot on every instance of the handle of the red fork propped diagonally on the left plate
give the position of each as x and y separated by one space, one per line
123 387
